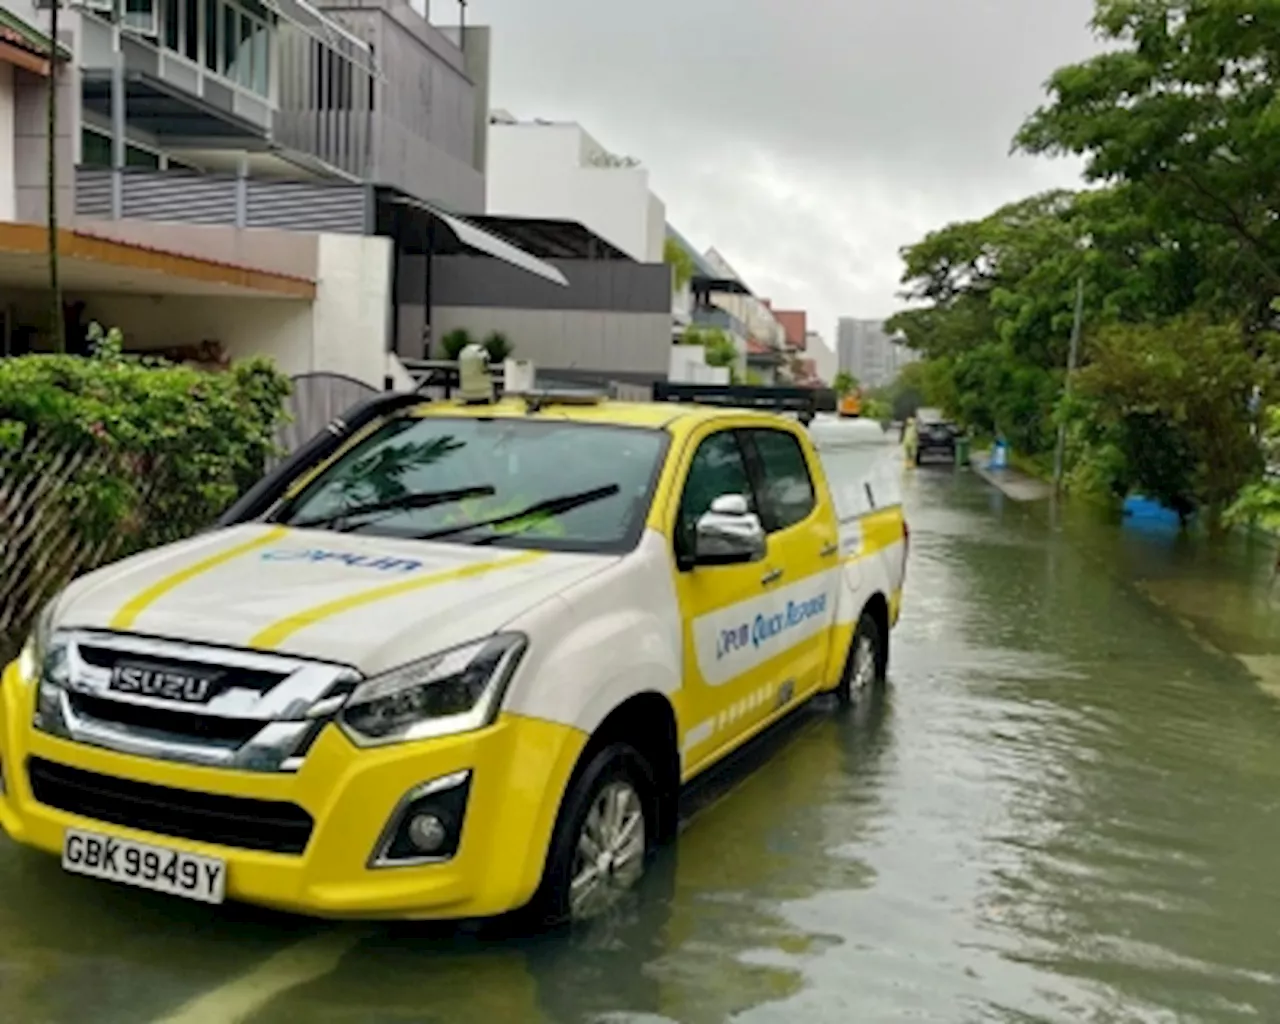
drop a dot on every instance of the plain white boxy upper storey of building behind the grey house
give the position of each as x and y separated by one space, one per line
557 170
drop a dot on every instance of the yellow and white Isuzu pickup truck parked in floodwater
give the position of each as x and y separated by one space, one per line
456 660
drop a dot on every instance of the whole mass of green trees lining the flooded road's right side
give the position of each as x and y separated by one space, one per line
1176 246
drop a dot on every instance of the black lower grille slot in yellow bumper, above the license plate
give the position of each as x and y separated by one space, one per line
271 826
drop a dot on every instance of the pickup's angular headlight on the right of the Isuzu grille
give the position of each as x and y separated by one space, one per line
454 692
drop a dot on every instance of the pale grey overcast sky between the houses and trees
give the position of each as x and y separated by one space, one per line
807 140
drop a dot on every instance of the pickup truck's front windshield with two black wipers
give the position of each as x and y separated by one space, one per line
584 487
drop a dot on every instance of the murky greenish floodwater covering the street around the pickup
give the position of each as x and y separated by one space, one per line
1067 808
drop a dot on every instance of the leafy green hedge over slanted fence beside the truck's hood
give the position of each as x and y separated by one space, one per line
107 456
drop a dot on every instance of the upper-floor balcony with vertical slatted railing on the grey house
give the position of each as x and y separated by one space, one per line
235 75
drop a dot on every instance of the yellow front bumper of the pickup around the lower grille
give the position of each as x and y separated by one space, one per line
520 770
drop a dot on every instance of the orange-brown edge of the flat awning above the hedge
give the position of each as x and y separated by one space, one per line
92 264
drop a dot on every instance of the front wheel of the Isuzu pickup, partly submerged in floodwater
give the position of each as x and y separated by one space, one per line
615 780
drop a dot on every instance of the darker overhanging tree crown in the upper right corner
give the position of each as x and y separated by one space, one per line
1183 107
